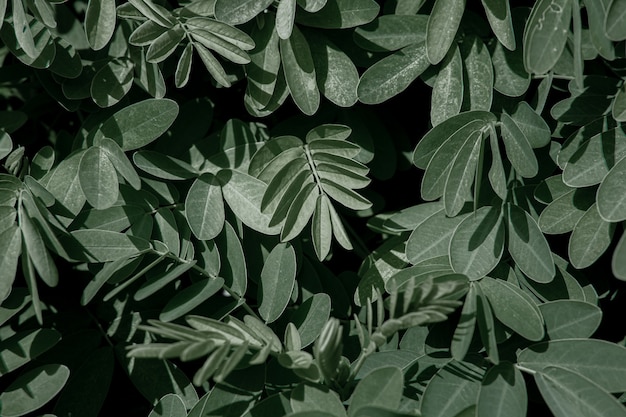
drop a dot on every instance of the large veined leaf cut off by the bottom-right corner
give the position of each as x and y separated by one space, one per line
570 394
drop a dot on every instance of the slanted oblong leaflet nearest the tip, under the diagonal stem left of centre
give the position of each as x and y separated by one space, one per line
191 297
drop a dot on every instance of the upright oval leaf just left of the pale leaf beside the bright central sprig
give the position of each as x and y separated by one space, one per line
204 207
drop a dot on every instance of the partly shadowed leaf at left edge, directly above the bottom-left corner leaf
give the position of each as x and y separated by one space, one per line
25 346
